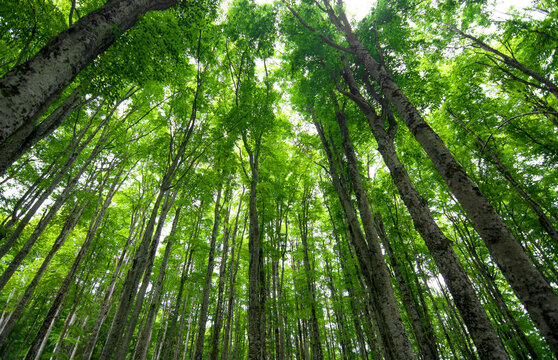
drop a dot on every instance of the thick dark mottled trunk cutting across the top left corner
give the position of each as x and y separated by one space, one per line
28 90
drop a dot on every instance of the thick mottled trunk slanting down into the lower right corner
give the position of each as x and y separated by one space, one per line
528 284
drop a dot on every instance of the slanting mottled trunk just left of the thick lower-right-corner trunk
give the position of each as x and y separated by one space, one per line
487 341
